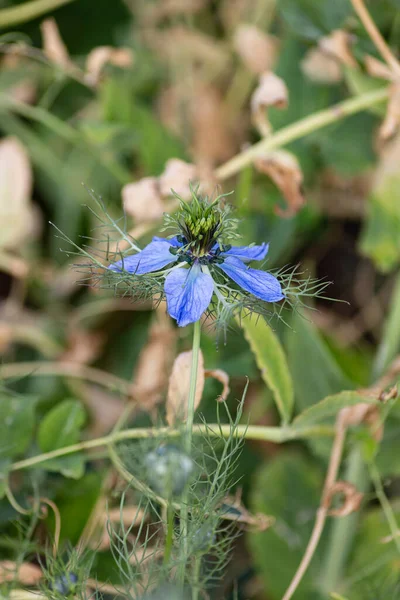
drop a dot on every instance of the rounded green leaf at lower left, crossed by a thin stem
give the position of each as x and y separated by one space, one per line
61 427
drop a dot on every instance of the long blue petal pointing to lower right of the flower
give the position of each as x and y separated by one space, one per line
259 283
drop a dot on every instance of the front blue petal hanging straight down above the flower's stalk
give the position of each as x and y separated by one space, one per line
189 293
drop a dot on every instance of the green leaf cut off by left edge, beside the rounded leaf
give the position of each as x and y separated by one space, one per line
16 424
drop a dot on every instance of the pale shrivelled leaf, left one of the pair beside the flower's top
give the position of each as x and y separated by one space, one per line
142 200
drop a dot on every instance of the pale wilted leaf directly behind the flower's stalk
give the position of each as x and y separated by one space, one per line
179 384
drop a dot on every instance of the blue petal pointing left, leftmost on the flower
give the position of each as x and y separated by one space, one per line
153 257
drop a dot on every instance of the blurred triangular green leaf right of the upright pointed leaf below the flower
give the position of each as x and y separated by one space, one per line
312 366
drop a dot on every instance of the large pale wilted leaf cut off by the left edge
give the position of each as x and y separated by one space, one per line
16 215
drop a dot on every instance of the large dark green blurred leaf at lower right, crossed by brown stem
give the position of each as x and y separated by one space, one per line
289 489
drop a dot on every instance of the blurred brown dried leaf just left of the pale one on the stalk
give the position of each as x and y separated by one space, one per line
154 363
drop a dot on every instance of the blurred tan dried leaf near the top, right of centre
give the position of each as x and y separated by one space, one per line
258 50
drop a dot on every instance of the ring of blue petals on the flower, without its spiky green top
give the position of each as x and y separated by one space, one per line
193 273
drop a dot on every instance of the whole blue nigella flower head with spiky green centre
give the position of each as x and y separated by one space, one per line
199 264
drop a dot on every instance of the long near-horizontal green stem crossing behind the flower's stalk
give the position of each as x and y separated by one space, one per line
277 435
